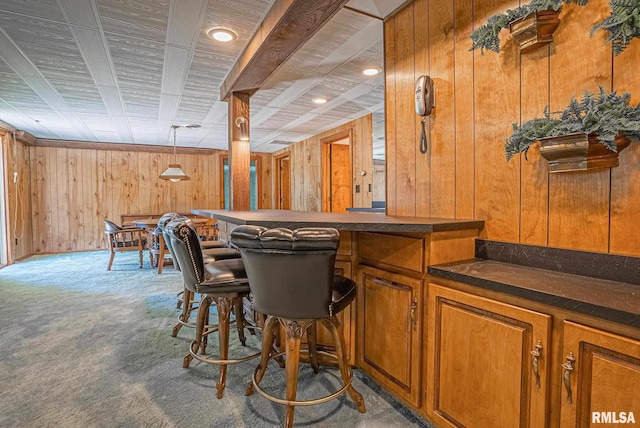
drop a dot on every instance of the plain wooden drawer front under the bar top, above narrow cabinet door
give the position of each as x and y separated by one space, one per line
400 251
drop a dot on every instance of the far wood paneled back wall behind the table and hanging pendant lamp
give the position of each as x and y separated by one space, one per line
67 192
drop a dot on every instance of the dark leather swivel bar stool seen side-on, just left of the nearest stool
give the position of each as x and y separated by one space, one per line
222 281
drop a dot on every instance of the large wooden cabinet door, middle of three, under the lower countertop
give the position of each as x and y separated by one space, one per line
480 368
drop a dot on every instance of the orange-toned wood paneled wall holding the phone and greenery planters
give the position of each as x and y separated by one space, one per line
465 174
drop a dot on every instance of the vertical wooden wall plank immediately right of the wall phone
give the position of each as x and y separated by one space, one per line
442 120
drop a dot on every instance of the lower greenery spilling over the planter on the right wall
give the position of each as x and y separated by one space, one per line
605 114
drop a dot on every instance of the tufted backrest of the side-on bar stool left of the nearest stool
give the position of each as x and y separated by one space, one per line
186 248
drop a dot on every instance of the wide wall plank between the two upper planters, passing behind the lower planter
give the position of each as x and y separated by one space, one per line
579 201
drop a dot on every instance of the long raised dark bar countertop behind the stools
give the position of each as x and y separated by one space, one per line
361 222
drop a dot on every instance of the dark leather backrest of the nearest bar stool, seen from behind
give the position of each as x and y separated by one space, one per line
290 272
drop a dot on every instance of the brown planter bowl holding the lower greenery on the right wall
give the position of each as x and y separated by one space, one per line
580 152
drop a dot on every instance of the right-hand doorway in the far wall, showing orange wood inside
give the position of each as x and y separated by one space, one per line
337 177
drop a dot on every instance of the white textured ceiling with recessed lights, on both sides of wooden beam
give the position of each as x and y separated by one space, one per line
124 71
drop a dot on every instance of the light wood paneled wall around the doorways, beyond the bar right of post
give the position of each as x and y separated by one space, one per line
306 166
